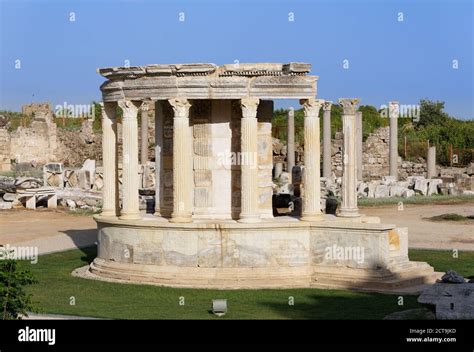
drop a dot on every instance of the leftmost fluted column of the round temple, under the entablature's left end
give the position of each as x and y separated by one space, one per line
110 194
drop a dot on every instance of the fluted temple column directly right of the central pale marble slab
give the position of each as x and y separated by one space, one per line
249 171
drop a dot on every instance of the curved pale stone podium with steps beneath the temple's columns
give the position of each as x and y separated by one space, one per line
278 253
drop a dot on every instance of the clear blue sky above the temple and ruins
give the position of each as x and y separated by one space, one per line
388 59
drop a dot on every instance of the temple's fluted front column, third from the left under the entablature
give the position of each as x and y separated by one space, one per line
182 167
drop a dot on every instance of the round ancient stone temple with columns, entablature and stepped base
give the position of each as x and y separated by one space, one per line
213 224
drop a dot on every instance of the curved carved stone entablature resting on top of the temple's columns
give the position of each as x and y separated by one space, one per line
208 81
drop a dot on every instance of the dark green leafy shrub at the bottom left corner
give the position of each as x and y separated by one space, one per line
15 302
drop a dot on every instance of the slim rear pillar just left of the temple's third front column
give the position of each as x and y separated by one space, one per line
158 156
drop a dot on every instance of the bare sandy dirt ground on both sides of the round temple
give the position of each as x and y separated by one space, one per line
55 230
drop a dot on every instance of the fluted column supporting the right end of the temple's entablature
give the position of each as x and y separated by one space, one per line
312 161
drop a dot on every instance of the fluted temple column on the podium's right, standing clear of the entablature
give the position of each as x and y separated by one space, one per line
349 177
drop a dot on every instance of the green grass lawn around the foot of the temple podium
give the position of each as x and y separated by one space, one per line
93 298
